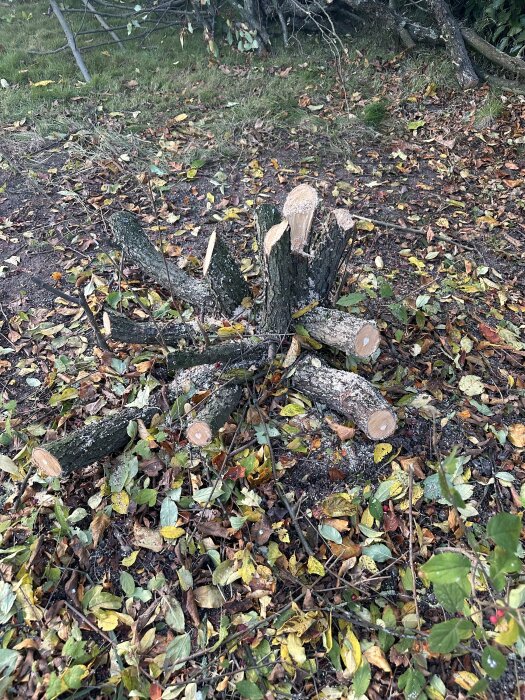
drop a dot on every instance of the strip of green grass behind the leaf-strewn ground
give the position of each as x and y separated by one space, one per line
151 81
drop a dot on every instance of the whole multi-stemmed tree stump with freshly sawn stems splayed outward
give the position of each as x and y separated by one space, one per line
300 262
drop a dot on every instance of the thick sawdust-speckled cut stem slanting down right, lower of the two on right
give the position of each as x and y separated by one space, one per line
347 393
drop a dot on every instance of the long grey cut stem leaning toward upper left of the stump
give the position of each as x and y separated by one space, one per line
136 245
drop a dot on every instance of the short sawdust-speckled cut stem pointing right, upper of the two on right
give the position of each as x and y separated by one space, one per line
338 329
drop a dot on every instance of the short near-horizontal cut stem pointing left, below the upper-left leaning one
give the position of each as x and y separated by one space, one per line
121 328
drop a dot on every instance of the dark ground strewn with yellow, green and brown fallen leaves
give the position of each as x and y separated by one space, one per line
293 557
